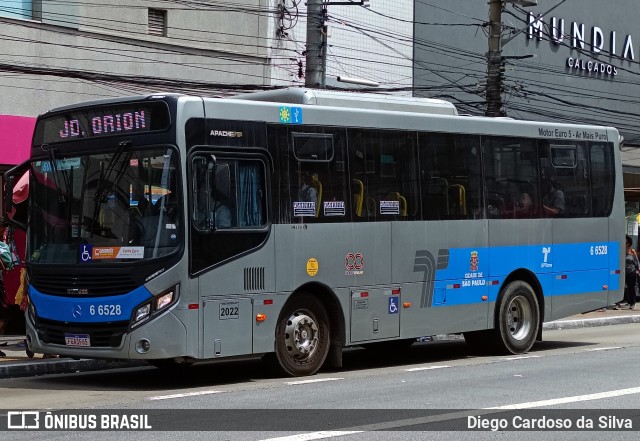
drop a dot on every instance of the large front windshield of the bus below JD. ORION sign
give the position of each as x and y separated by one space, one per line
105 208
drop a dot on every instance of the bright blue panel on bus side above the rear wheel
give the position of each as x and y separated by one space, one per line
562 269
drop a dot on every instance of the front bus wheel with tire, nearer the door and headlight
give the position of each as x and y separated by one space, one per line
302 336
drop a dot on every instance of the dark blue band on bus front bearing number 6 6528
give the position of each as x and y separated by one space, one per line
88 309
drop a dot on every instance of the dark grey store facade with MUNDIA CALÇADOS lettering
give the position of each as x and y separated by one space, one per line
560 60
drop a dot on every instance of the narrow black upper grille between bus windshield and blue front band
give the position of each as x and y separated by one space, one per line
86 284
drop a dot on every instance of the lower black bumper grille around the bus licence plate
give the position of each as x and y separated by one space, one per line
101 335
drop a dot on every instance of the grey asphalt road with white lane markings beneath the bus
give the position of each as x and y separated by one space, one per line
590 373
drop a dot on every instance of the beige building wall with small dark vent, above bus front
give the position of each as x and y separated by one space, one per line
58 53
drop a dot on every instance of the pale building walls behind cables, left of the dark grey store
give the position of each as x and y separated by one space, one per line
59 53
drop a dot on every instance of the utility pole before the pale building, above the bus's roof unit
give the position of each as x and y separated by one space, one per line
315 71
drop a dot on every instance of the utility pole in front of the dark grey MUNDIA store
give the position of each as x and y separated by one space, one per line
494 61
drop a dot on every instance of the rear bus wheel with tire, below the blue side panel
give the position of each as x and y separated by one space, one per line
517 318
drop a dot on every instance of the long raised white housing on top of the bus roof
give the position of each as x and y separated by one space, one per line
332 98
